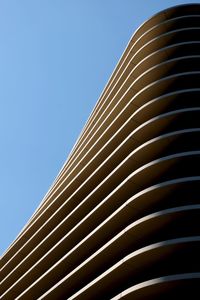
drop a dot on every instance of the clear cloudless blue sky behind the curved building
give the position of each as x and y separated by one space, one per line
55 58
